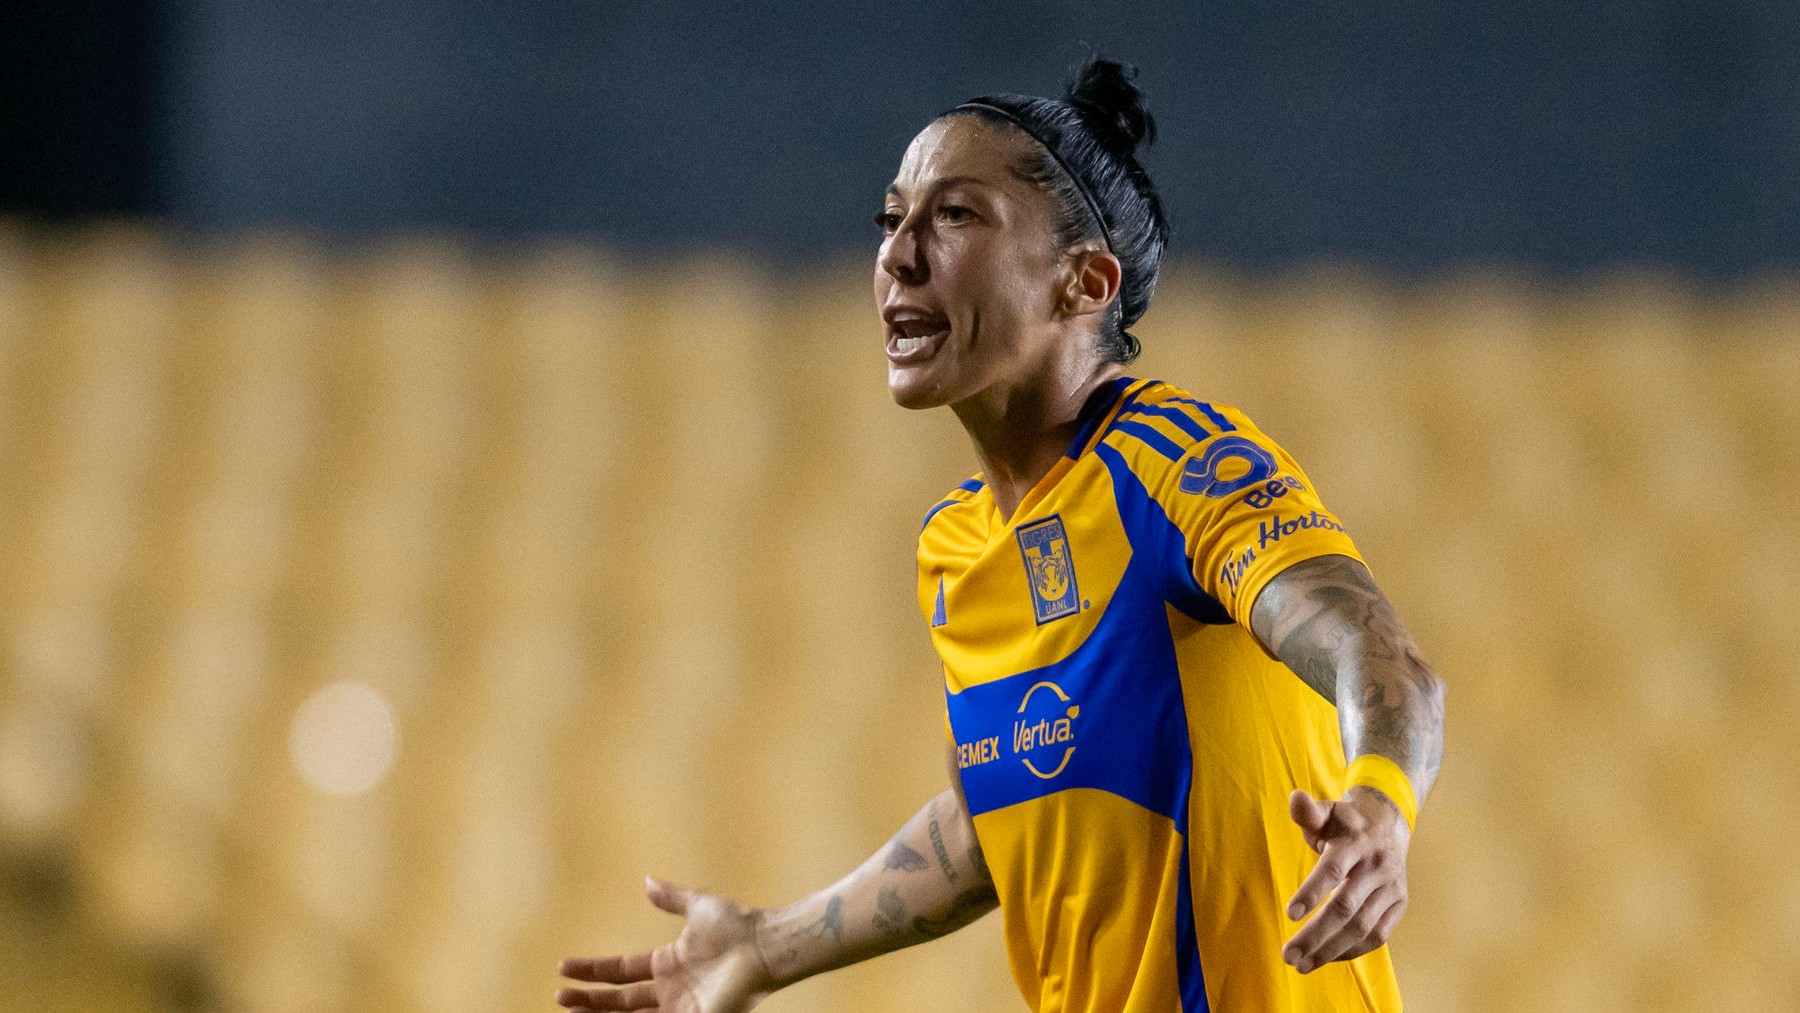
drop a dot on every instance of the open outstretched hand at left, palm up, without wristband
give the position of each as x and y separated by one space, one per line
714 967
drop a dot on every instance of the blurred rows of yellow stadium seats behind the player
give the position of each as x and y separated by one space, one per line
627 557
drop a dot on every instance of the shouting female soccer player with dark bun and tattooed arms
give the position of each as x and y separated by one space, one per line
1187 733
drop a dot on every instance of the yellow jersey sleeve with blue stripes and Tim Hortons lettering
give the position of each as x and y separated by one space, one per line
1246 512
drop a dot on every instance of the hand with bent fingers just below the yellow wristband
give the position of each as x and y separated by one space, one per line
1362 841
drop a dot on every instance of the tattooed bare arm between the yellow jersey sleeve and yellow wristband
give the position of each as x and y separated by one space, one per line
1329 623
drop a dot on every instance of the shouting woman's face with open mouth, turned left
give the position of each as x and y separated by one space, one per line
969 274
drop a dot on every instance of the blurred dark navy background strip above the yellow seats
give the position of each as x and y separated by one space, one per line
1416 138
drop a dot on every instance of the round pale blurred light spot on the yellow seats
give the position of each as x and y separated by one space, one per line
343 739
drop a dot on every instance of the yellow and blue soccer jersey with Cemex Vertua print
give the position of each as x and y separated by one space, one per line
1126 744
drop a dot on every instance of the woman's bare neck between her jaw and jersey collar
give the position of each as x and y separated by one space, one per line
1021 433
